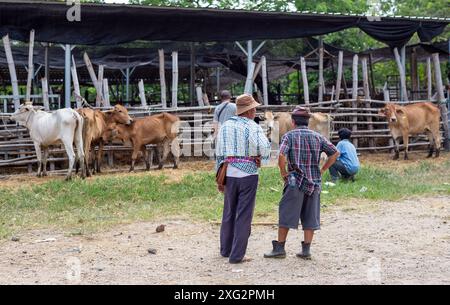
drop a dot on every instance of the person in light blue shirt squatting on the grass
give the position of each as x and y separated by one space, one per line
347 165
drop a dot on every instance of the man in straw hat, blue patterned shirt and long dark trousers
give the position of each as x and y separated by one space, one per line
241 146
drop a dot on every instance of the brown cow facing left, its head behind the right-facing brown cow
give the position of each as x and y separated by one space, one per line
160 129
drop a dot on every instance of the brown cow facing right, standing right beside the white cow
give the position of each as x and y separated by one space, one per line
95 123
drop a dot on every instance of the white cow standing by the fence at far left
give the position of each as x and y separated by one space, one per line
63 125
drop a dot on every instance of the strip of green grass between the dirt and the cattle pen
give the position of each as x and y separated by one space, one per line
88 205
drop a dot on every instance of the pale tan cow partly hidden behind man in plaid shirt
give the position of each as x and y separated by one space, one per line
319 122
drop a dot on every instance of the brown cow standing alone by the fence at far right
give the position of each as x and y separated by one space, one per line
413 119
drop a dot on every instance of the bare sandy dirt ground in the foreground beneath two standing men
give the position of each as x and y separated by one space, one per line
404 242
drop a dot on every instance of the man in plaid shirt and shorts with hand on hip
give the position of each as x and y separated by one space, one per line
300 150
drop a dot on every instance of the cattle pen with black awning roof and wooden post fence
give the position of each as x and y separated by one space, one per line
358 111
